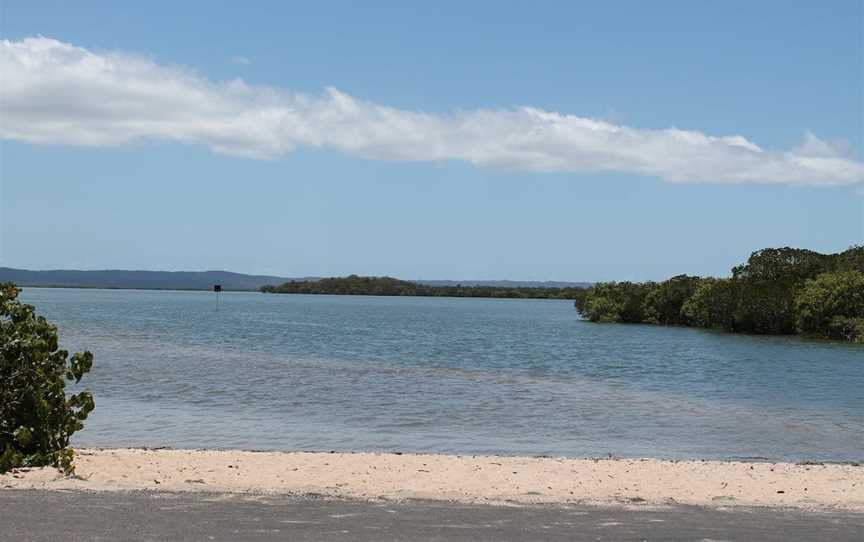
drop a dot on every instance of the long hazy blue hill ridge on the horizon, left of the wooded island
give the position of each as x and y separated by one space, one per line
148 280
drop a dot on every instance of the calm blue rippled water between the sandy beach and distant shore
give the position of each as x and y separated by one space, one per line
448 375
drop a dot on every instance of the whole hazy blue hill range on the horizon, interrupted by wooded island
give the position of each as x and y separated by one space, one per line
204 280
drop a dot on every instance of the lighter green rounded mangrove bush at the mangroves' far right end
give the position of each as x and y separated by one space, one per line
832 305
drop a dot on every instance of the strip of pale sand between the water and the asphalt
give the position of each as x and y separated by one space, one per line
486 479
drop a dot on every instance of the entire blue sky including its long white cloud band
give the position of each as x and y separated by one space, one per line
436 140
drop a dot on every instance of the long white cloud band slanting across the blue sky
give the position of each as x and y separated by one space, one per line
54 92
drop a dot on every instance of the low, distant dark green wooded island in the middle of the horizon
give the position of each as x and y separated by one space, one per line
355 285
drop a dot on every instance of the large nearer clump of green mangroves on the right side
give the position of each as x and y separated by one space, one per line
778 291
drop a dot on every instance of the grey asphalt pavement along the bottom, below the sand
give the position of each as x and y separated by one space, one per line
79 516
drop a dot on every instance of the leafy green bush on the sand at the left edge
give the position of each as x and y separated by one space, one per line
37 418
